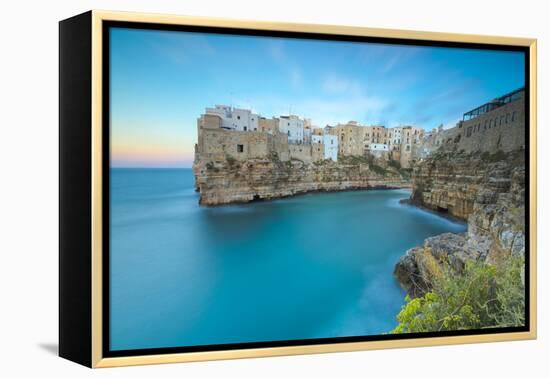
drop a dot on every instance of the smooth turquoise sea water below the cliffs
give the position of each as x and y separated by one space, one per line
317 265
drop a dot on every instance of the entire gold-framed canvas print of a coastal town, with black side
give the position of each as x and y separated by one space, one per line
237 189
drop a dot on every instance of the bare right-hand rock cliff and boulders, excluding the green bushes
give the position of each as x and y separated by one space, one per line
486 190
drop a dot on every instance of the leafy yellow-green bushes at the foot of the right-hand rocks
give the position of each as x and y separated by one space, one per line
480 295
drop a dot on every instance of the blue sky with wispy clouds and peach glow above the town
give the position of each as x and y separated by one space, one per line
161 81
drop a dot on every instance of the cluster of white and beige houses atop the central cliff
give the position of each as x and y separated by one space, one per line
300 137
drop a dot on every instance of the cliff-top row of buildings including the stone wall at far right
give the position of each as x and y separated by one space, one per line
241 134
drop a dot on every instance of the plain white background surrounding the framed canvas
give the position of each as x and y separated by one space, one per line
28 187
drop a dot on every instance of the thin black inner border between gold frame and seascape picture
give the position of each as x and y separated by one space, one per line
107 25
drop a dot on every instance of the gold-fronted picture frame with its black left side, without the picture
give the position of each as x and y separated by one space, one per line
91 329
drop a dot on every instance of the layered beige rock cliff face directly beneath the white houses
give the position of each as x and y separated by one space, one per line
232 181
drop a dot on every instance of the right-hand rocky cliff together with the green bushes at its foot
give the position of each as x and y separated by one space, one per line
473 280
